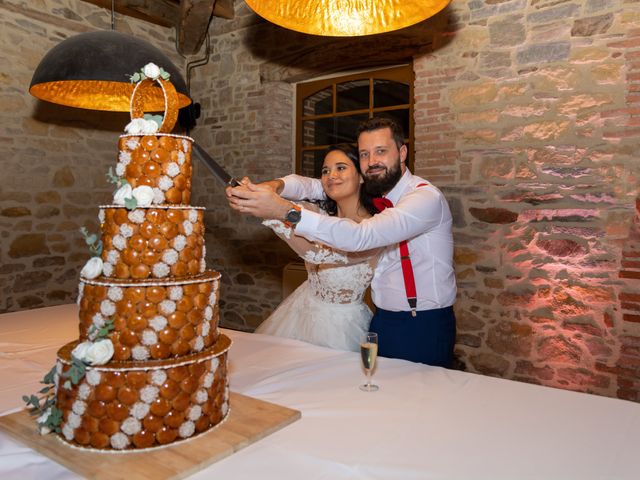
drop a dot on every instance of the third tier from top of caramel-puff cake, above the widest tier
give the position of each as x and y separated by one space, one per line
152 319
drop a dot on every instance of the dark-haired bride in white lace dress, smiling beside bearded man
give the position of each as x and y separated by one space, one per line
328 308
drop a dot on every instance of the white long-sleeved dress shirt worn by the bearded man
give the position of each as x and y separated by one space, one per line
420 214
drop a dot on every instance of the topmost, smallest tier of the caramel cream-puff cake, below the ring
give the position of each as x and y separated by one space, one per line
161 161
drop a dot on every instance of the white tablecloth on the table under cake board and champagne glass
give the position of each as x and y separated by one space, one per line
424 423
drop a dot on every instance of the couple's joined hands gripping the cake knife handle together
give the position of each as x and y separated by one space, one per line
260 200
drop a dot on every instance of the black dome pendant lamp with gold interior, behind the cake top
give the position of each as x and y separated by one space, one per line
91 70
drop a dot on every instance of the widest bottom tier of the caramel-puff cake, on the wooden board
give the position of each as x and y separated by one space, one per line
136 406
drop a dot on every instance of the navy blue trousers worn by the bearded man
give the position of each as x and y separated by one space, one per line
428 337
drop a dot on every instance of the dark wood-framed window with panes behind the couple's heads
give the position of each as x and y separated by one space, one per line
329 111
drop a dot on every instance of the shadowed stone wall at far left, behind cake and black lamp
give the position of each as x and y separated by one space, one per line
54 158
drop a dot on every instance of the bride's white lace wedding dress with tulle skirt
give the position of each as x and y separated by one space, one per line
328 308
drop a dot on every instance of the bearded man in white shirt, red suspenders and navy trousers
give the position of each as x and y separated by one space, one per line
414 283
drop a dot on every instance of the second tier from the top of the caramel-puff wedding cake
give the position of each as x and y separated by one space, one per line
159 242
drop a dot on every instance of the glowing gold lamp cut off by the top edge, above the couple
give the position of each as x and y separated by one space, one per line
346 18
